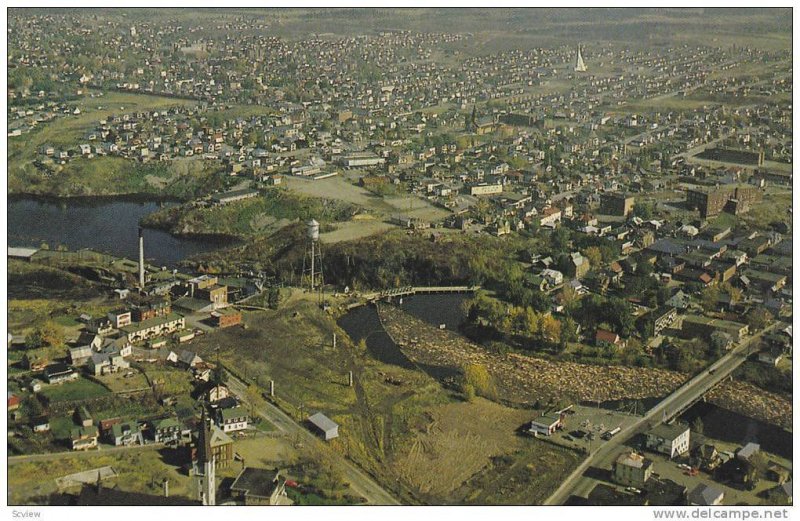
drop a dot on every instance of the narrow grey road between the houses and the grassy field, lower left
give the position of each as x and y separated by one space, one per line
359 481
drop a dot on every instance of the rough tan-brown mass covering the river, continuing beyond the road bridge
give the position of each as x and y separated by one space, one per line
526 379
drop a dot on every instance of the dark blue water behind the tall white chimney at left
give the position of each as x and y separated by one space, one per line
107 225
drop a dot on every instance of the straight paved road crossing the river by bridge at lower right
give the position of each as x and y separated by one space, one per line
578 484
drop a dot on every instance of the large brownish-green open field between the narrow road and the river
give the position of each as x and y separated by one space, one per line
417 439
